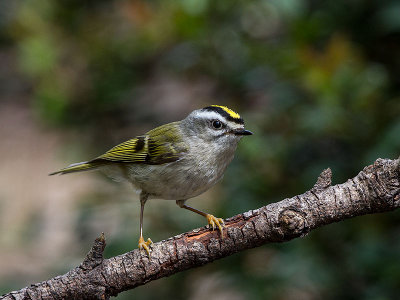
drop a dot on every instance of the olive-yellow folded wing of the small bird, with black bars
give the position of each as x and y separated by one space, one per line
160 145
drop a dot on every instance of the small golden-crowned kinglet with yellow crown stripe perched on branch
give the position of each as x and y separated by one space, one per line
175 161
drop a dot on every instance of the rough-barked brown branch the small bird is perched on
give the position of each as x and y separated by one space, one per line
375 189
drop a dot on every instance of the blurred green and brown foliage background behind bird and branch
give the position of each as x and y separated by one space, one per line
318 82
